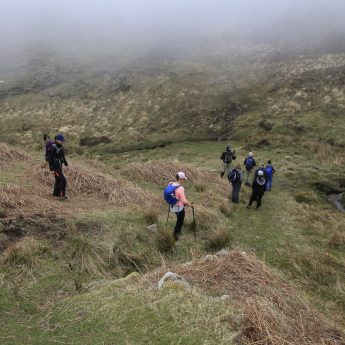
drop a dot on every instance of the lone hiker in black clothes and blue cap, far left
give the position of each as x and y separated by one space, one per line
56 159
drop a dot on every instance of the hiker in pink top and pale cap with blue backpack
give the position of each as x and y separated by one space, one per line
175 195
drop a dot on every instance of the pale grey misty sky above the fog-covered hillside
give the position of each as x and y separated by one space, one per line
82 22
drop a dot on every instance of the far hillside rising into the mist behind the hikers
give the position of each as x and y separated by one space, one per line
110 106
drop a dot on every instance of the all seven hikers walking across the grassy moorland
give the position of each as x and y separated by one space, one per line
174 193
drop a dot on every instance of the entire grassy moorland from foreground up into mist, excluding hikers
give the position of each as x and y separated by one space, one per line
85 271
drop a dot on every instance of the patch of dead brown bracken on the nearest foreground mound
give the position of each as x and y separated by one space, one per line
275 314
